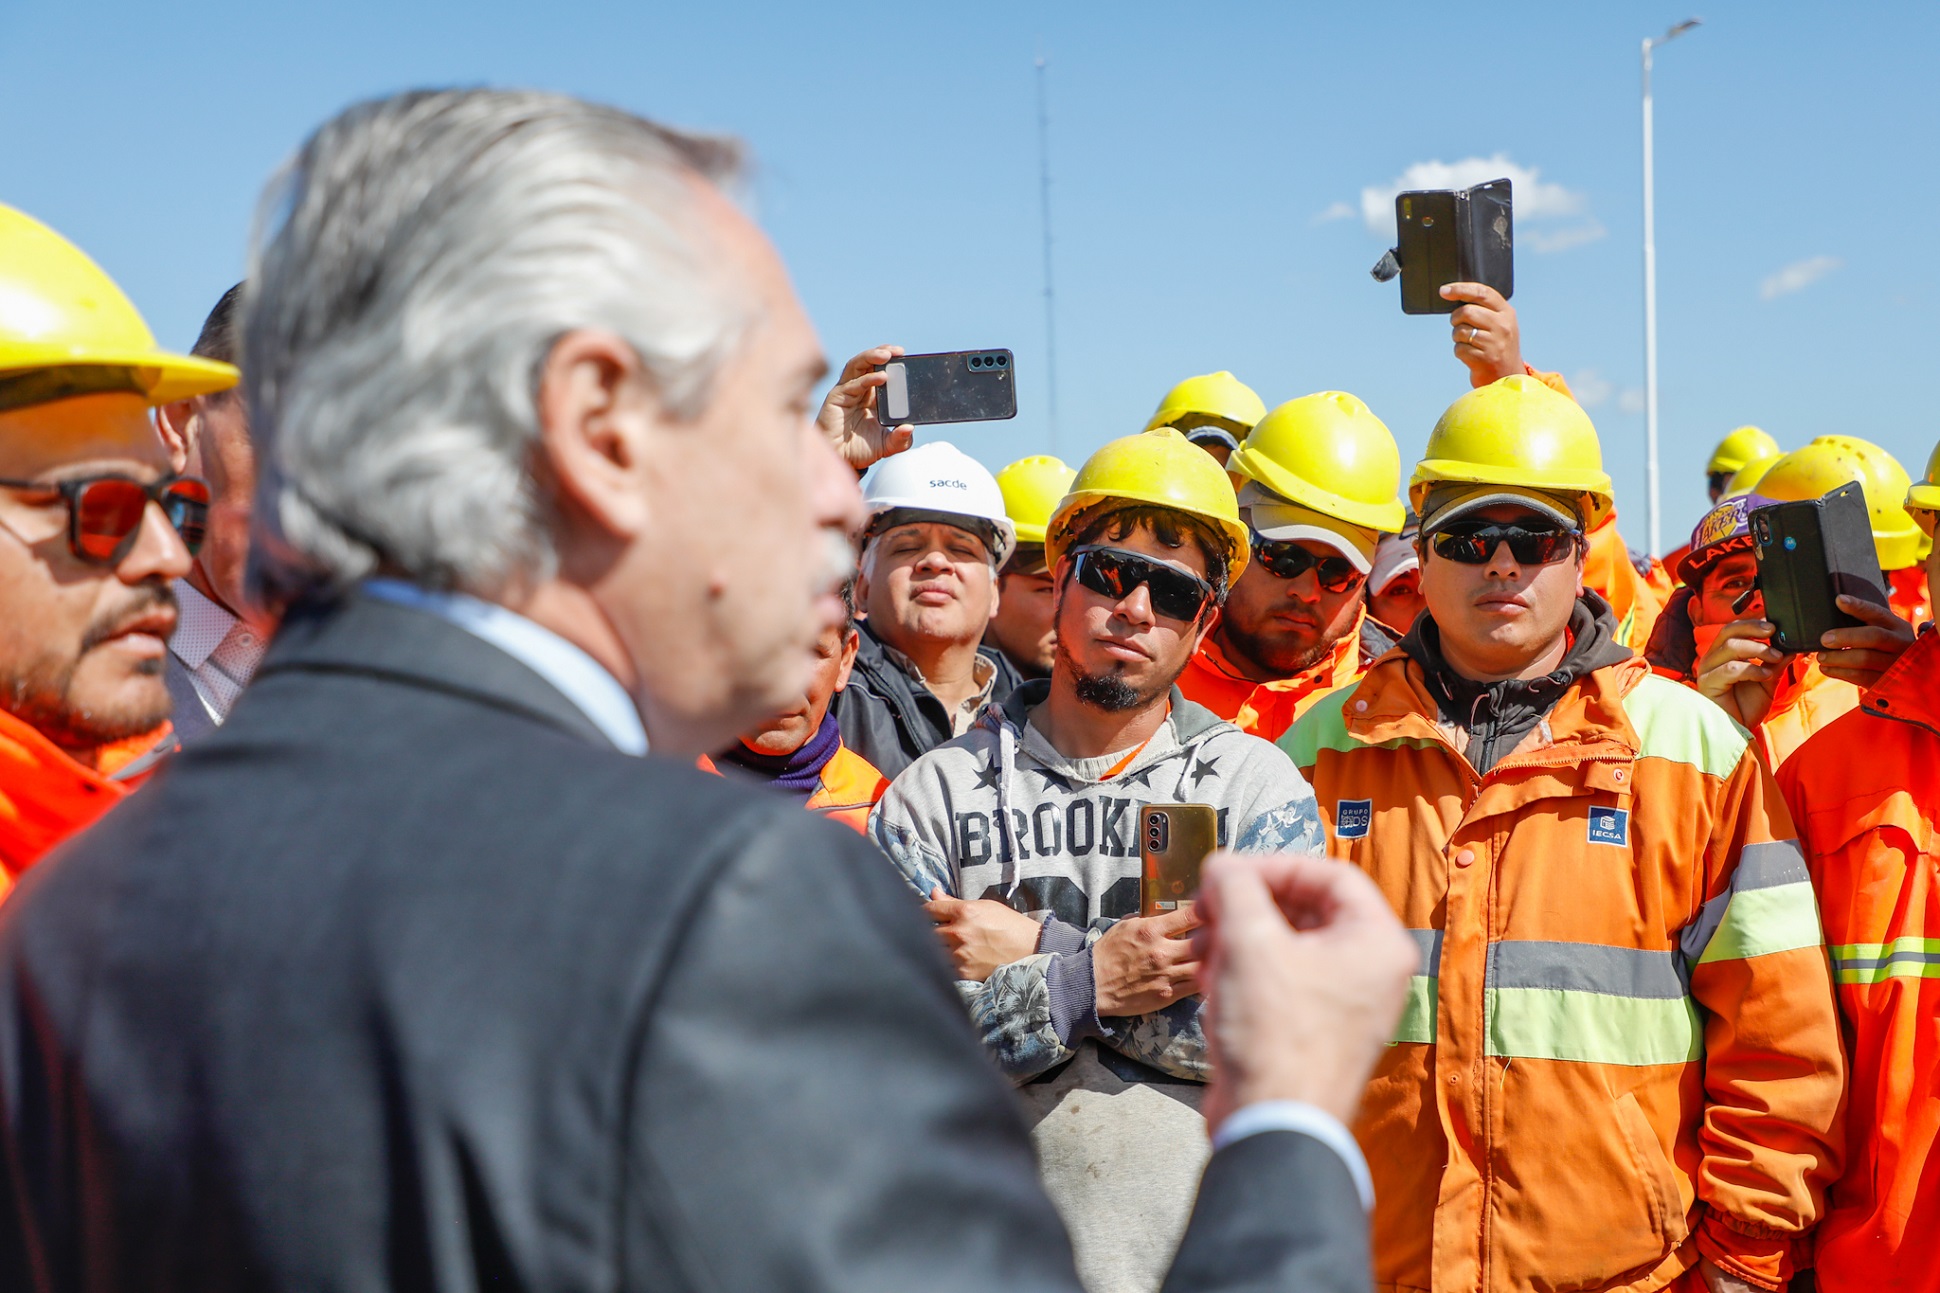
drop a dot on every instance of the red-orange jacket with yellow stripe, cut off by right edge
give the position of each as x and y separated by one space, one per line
1867 801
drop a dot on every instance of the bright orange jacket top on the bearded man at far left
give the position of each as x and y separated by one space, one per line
48 795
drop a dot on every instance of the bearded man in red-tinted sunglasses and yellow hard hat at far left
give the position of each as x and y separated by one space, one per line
92 531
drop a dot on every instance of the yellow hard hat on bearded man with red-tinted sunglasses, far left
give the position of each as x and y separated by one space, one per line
69 331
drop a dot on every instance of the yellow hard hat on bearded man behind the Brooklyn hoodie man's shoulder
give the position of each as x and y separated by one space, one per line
1330 453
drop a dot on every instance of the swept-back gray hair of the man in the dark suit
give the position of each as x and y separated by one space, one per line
412 271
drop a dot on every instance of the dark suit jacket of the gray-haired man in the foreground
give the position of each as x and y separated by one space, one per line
406 979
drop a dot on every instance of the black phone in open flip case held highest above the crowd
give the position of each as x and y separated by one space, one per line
1454 236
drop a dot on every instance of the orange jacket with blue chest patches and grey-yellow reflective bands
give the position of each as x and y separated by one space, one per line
1621 1051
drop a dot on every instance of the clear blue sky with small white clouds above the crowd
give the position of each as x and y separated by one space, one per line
1210 166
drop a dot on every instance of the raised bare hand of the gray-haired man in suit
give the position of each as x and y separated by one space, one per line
1307 972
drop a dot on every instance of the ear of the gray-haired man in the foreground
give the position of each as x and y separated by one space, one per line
597 411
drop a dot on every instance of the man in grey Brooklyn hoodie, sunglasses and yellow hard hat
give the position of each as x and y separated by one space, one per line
1023 840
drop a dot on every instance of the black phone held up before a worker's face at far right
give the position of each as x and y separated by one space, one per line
1809 554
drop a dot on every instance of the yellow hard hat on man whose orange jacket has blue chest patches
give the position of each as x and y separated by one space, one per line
1518 432
